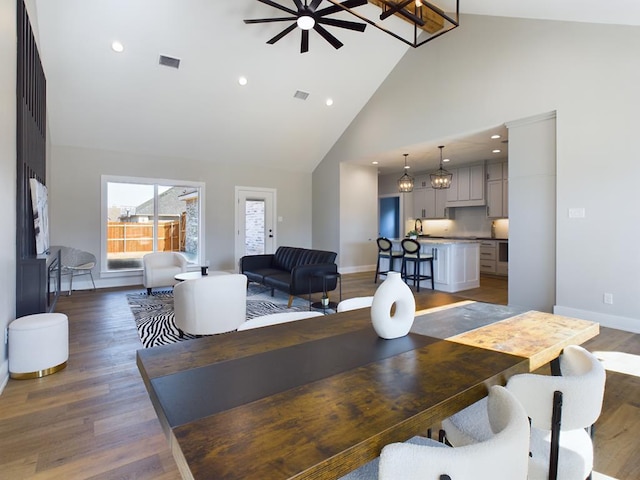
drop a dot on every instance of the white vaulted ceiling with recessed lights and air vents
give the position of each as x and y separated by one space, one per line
127 102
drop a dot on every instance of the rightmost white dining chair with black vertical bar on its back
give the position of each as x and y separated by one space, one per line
559 421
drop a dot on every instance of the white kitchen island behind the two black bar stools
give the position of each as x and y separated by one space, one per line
456 262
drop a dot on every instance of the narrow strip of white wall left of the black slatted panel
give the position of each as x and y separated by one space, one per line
8 48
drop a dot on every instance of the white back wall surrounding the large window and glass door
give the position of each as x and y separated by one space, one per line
75 199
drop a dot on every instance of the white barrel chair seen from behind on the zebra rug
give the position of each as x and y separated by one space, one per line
211 304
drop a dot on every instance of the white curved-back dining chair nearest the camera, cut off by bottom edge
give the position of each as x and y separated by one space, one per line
502 456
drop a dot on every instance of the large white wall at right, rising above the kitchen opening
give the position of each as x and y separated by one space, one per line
493 70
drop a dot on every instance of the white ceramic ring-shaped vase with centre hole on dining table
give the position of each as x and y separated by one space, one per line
393 291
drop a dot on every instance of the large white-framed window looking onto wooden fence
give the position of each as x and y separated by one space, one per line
141 215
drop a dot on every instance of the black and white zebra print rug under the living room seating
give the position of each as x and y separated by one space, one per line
154 313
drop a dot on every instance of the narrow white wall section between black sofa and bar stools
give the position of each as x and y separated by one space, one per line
358 217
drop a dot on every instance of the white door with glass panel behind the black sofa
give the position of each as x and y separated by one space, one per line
255 224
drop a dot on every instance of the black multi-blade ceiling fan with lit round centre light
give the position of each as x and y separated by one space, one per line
308 17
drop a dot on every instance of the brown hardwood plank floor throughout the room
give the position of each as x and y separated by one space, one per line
94 419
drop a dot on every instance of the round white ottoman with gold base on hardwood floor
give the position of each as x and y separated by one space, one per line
38 345
